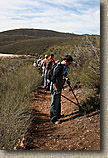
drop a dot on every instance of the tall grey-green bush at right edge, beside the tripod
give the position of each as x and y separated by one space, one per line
85 72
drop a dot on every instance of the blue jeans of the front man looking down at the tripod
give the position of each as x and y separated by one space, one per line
55 109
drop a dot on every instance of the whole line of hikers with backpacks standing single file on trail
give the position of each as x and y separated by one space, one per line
54 74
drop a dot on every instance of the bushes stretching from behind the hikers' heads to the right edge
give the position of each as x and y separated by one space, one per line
85 70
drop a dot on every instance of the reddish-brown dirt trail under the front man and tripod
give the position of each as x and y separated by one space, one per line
74 133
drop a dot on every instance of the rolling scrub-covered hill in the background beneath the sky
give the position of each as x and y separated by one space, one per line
35 41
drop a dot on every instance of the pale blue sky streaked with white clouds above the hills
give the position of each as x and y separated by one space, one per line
72 16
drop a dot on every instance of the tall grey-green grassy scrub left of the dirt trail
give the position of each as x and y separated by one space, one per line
16 87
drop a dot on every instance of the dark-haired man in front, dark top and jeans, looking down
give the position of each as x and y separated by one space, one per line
57 82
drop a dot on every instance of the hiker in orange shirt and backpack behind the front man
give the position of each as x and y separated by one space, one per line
48 64
